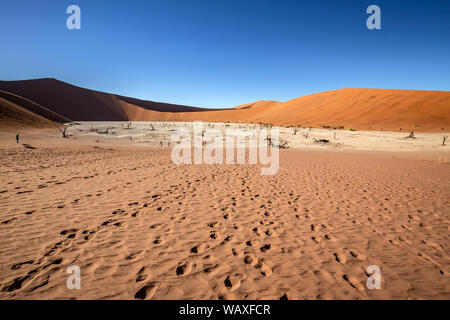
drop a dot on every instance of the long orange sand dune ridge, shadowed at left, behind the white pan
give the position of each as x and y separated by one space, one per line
364 109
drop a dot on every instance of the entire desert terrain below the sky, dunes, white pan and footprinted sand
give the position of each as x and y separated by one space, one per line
353 190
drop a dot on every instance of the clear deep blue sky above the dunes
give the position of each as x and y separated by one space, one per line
214 53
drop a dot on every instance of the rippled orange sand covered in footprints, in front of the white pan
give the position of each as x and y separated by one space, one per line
140 226
